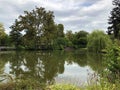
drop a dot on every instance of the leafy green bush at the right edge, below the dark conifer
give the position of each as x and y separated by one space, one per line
113 63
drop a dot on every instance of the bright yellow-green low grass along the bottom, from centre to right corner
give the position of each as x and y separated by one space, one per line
103 86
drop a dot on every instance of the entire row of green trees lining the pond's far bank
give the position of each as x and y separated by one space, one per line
37 30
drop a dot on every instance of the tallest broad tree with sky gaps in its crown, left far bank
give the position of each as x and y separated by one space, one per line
38 27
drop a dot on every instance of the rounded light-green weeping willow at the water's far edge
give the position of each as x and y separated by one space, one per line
98 41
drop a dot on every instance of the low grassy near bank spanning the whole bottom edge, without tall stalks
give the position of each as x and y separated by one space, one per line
26 85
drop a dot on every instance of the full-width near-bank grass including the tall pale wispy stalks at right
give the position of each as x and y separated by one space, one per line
93 84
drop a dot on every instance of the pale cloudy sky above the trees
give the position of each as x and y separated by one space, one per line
75 15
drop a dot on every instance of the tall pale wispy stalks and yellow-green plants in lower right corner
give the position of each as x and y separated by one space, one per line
100 82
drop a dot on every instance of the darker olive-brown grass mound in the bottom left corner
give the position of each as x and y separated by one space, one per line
22 85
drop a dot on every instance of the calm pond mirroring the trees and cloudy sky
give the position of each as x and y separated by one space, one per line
73 67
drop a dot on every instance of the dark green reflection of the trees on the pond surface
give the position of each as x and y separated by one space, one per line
44 66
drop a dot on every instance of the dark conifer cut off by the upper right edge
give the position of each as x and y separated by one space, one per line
114 20
